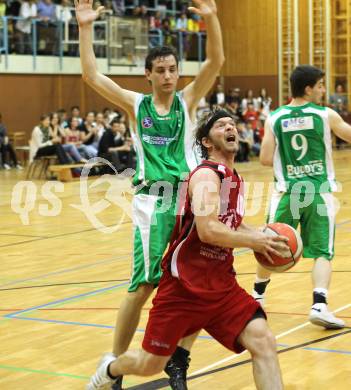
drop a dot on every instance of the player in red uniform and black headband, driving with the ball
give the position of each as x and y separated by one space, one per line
198 289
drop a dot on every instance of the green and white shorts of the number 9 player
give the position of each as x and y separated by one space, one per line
316 215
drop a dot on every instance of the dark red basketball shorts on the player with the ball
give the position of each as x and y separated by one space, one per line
176 313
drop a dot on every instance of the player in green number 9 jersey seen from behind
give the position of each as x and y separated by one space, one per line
298 144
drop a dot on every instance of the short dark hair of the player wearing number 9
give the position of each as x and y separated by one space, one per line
304 76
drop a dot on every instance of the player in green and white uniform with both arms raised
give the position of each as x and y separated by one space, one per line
163 140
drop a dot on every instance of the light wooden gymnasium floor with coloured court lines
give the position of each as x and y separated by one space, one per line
62 280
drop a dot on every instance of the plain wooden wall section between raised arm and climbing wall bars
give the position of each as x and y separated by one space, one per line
250 38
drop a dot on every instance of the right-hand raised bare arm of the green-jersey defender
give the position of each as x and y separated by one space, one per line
209 70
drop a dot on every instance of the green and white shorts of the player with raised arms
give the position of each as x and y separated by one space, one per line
153 223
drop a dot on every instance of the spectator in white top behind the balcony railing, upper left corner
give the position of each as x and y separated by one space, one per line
28 11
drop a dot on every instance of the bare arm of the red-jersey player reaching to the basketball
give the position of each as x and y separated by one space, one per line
204 190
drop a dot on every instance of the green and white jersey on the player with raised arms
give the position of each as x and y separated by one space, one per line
164 143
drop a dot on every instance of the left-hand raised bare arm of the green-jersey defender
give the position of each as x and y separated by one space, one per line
102 84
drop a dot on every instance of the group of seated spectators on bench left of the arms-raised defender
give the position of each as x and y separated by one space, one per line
76 140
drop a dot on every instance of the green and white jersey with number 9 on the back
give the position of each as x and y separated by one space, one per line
303 156
